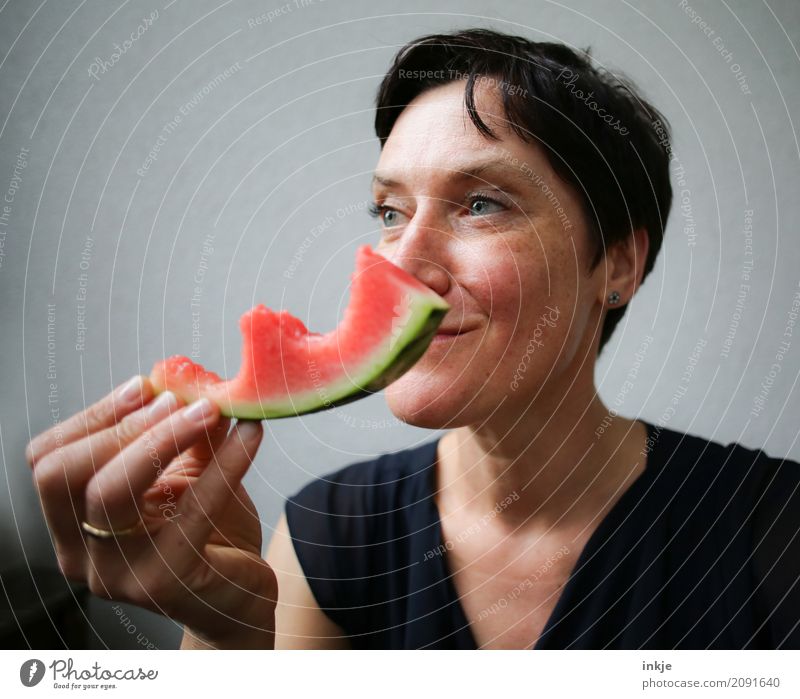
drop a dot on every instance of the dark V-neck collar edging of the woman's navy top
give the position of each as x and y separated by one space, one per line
462 625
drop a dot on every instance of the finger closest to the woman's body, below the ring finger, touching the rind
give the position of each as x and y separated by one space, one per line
207 498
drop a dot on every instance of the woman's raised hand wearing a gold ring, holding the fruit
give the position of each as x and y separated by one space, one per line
176 469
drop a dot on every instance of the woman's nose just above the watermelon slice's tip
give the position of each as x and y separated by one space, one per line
422 250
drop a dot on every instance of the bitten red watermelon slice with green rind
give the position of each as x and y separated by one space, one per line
287 370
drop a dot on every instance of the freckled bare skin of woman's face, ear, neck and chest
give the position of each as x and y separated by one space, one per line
500 266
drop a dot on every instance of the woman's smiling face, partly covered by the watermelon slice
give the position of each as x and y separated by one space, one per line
491 228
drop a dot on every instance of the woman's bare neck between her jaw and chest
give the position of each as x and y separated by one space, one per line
549 467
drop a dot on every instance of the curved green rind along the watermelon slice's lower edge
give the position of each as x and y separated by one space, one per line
386 366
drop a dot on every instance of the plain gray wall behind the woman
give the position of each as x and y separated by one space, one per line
264 155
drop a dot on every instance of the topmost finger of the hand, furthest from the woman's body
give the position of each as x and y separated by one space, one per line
106 412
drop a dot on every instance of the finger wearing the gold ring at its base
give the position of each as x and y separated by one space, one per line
114 494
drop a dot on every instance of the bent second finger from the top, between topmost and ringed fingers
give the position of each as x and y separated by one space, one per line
61 477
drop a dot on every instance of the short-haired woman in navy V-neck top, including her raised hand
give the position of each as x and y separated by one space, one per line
531 191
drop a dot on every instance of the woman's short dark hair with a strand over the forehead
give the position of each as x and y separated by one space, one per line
600 136
